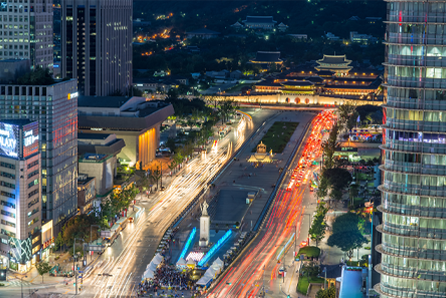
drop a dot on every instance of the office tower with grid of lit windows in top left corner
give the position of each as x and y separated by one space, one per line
26 28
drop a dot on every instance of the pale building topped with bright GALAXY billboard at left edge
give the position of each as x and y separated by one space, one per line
20 218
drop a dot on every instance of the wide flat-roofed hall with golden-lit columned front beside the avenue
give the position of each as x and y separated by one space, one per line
134 120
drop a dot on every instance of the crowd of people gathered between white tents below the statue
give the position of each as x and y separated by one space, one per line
166 277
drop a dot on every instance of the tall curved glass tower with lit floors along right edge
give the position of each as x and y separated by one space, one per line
413 249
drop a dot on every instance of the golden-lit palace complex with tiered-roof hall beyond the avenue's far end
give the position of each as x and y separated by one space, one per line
333 76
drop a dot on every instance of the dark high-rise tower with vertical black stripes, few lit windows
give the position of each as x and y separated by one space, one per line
97 45
